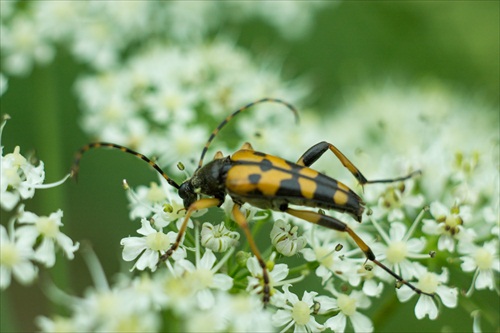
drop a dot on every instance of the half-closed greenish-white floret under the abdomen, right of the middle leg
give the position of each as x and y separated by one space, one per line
285 238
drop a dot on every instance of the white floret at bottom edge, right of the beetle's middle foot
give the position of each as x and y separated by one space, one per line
296 312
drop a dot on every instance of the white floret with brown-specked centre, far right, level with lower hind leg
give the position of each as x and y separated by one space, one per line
448 224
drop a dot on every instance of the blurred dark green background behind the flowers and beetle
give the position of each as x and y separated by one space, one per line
352 44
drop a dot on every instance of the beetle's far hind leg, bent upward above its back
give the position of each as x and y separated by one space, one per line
316 151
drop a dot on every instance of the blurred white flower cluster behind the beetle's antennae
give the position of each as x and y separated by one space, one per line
165 101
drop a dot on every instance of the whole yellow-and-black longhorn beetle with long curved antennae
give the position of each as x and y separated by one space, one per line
267 182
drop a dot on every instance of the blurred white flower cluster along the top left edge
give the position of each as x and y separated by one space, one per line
32 31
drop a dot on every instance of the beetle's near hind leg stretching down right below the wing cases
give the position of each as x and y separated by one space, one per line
335 224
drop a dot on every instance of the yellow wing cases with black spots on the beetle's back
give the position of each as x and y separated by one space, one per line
268 181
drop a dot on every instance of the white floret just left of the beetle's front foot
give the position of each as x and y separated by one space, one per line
149 247
